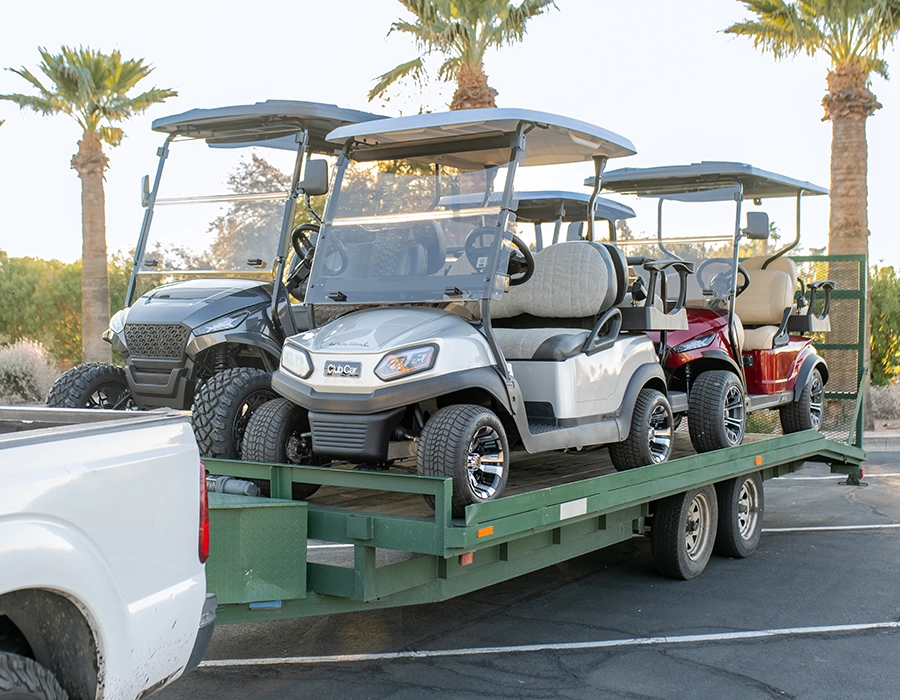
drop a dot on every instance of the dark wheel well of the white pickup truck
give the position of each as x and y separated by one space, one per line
49 628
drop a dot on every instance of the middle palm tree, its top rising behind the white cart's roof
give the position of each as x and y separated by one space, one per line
461 31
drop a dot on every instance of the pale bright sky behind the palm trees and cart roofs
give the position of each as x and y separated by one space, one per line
659 72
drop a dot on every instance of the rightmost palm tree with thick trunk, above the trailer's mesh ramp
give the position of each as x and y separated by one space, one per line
854 35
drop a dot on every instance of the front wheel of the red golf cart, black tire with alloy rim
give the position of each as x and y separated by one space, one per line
717 415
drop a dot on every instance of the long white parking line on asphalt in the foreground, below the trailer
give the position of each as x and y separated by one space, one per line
573 646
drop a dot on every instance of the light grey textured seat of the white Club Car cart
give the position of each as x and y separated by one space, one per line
555 311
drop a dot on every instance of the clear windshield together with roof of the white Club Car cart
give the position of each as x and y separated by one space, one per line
422 208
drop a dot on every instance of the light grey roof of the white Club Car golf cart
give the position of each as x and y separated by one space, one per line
475 137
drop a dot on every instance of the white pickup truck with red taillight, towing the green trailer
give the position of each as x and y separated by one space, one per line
104 532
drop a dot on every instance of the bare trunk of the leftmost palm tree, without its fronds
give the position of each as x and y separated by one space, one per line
90 163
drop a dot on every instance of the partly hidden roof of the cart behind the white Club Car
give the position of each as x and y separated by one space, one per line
546 206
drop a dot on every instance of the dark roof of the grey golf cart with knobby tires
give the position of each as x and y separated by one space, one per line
274 122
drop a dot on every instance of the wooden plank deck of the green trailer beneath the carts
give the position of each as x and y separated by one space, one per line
528 472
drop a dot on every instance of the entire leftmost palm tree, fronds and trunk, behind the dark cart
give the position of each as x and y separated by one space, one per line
92 88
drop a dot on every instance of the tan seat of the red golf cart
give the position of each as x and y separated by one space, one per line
764 308
